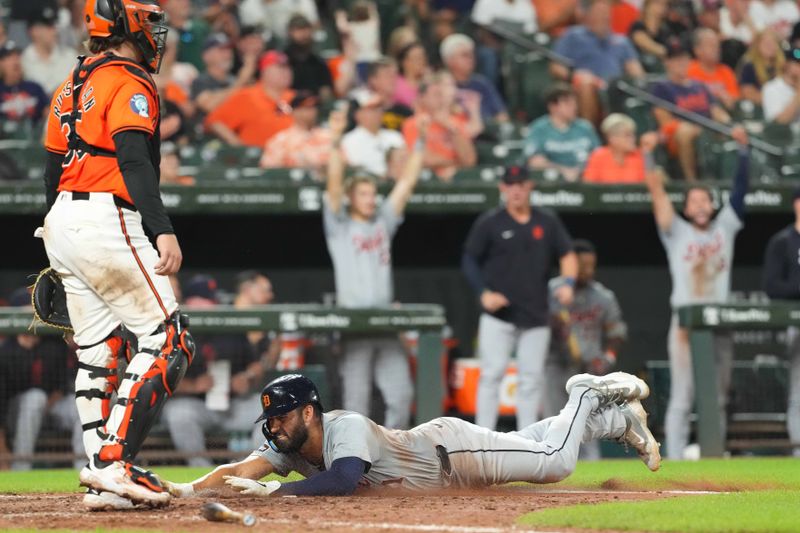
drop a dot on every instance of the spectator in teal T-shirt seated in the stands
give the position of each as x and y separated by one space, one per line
560 140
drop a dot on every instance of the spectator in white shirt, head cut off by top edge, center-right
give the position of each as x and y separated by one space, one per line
519 13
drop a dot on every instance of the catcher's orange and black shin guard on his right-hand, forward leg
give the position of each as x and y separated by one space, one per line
151 377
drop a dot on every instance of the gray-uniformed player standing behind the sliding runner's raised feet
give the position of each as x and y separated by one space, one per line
586 334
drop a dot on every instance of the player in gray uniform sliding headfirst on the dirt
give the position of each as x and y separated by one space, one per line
340 451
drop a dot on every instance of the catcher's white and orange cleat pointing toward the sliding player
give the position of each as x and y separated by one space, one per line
126 480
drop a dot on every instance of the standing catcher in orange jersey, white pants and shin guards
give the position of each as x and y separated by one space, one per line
102 192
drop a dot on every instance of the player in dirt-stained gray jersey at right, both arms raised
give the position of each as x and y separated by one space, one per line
700 255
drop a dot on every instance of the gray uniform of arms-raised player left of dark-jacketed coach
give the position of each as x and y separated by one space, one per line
362 264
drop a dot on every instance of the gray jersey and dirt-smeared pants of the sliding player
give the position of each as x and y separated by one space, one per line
450 452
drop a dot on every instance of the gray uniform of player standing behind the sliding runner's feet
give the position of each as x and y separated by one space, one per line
594 318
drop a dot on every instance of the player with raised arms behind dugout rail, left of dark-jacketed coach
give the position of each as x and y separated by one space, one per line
359 238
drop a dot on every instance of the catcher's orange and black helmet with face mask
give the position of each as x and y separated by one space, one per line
141 21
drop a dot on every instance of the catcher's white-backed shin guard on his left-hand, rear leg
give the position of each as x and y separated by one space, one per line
95 383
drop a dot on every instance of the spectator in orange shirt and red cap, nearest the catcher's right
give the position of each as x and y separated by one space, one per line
253 114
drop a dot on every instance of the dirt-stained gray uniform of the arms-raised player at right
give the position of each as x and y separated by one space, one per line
700 265
